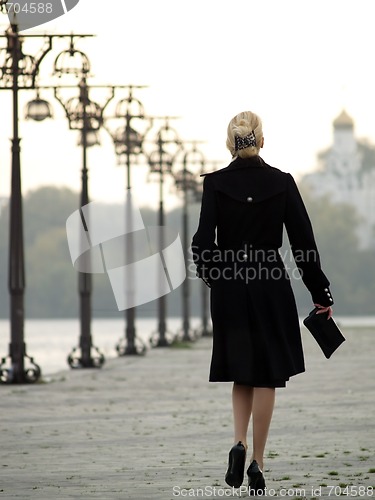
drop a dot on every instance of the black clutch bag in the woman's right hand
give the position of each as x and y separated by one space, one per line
325 332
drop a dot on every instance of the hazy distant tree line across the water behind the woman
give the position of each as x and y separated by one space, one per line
52 283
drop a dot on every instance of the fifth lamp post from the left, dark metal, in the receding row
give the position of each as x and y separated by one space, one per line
187 182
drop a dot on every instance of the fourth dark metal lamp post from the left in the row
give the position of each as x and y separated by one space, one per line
161 161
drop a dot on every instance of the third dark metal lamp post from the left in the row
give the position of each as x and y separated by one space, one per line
128 144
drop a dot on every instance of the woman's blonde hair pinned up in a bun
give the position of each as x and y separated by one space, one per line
240 126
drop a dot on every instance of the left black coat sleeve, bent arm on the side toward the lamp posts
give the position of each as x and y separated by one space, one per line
203 243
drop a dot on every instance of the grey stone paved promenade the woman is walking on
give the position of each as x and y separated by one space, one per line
153 428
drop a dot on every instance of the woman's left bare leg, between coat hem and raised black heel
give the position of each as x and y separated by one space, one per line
242 401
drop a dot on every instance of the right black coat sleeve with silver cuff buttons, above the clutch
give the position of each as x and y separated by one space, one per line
303 245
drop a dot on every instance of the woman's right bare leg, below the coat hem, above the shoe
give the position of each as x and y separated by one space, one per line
263 404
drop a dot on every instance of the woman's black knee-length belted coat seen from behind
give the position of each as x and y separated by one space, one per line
257 339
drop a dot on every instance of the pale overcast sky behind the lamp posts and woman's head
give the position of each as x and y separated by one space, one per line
296 63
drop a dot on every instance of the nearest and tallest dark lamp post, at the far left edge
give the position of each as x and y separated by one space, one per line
18 71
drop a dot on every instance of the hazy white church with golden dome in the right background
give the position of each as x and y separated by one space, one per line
346 173
